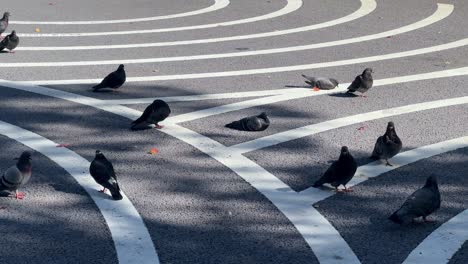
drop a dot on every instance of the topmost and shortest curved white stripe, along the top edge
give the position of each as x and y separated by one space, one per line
217 5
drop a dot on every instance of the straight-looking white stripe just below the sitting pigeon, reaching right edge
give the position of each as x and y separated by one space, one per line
342 122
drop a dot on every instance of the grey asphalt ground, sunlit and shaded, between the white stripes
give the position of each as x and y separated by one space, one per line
197 210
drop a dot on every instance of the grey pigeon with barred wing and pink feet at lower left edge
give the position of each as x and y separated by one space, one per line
17 176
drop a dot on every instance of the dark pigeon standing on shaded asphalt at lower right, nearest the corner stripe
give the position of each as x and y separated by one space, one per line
422 202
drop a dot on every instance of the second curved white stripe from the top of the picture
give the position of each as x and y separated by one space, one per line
291 6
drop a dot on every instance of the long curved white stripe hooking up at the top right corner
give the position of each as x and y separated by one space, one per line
442 12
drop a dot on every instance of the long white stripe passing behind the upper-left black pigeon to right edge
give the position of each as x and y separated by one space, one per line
451 45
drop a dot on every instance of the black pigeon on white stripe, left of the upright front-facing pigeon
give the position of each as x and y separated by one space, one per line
340 172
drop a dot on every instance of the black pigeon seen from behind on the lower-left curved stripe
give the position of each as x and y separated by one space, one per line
103 173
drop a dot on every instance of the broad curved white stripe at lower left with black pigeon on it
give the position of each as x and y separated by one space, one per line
132 241
